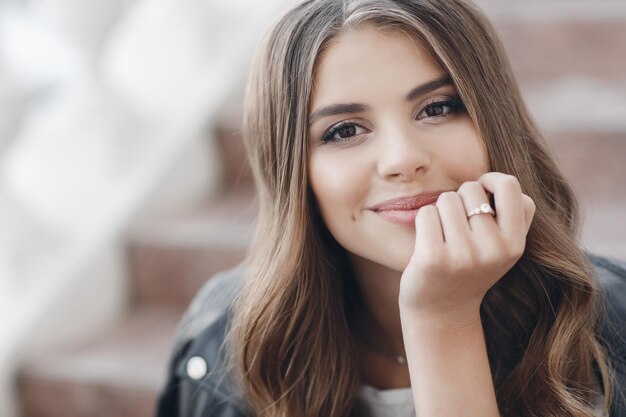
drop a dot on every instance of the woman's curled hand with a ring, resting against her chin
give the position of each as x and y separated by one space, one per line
456 260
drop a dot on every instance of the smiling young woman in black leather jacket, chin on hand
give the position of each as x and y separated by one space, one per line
417 249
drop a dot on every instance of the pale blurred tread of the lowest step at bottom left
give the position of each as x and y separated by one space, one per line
132 353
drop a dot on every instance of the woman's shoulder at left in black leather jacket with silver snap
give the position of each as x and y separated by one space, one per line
199 381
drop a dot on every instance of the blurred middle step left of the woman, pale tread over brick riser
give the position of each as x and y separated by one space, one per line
171 257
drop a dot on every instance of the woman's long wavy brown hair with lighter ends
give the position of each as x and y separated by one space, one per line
290 337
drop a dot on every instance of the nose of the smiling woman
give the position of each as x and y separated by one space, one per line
402 156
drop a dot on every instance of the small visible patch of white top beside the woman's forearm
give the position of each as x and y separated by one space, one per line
396 402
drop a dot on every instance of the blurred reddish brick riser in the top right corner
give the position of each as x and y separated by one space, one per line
546 39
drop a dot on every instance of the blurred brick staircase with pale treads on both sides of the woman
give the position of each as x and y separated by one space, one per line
570 61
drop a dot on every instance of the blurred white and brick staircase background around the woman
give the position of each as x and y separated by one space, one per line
124 184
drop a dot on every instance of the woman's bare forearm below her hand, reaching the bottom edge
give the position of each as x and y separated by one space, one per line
448 365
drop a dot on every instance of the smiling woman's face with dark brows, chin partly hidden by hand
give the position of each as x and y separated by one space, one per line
385 124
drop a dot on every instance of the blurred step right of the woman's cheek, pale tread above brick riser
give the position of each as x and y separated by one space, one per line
583 121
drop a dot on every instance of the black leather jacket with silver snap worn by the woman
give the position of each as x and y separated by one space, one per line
198 383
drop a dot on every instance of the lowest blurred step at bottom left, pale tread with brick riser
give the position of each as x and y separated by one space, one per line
119 372
